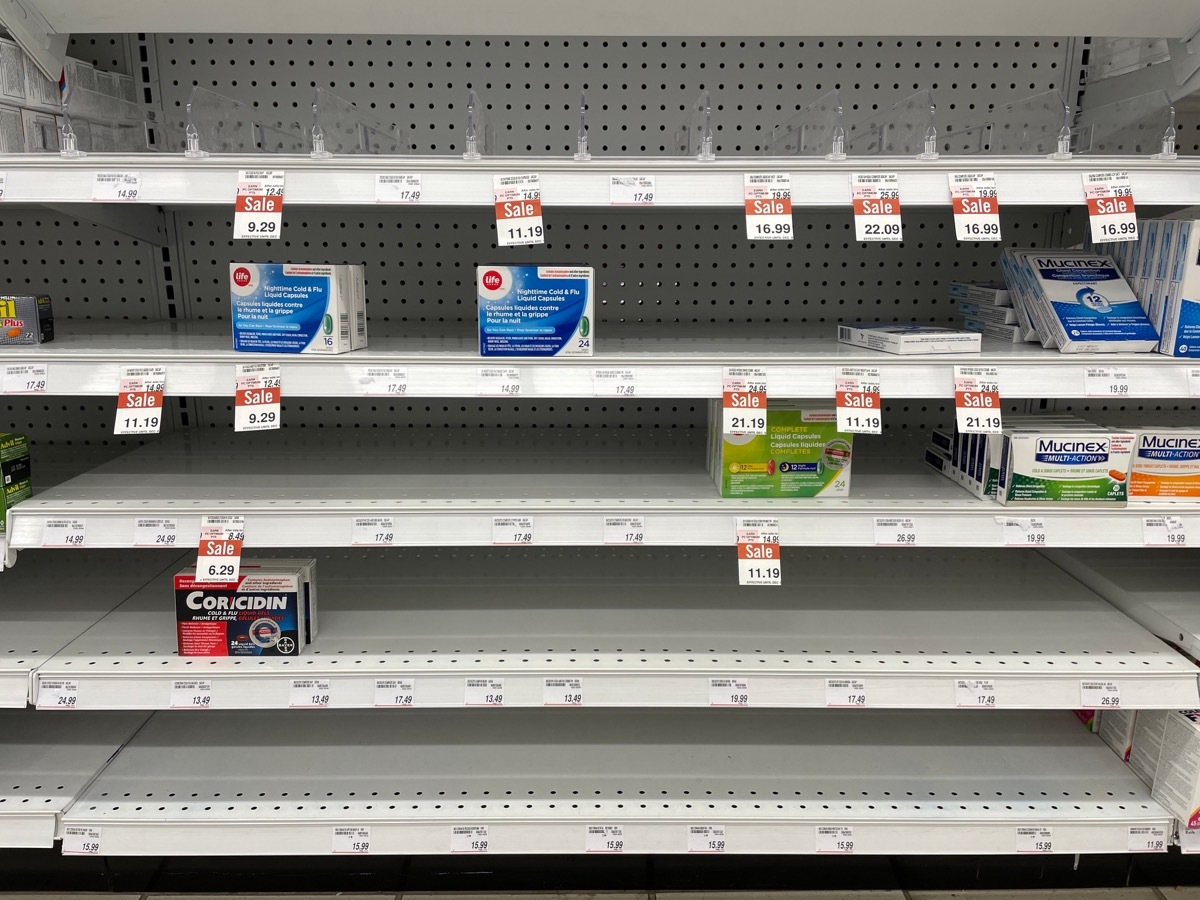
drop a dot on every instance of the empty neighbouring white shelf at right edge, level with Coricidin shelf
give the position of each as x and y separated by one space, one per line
1156 589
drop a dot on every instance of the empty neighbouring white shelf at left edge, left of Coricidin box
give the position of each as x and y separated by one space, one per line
45 605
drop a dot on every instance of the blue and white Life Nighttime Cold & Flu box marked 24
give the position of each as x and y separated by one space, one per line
536 310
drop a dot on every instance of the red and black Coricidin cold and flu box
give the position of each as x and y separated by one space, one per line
261 615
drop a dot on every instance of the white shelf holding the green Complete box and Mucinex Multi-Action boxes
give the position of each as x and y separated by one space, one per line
445 488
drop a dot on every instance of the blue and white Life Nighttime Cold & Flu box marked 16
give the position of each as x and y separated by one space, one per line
297 309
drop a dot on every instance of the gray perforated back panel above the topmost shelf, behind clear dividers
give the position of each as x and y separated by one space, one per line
638 89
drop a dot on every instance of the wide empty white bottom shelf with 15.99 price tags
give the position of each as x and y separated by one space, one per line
908 783
